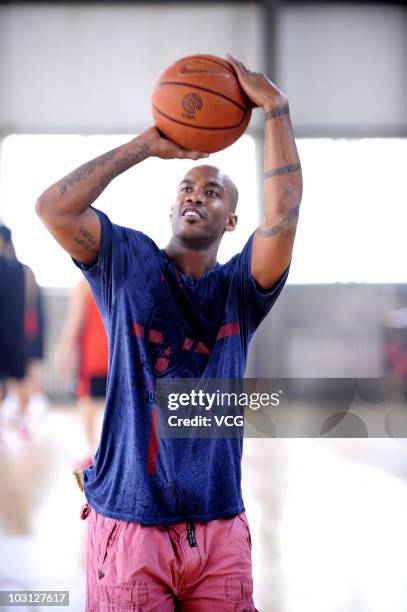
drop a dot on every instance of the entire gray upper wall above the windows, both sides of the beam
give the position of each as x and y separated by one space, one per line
78 68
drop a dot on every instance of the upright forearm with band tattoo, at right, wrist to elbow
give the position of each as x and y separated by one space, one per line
282 170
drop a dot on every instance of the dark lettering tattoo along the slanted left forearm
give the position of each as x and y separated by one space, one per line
126 161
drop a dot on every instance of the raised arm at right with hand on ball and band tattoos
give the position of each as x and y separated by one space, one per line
274 239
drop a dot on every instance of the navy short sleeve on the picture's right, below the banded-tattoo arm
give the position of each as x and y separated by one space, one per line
253 302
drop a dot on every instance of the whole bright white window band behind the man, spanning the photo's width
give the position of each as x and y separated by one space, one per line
353 216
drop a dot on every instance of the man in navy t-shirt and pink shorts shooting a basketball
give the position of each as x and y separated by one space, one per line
167 523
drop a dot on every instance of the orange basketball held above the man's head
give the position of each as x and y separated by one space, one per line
199 104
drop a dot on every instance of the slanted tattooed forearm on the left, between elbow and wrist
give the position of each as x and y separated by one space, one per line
74 193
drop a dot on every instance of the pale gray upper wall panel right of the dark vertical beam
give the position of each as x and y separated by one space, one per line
344 68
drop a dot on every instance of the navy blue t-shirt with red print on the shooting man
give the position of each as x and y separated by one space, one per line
163 323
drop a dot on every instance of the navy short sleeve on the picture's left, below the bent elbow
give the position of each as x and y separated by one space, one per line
121 250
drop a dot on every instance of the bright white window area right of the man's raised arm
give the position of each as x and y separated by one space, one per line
354 212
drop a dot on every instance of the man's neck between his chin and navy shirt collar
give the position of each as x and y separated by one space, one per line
189 261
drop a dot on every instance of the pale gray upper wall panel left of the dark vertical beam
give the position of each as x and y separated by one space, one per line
91 69
